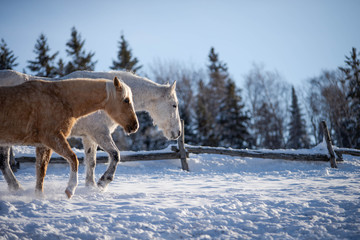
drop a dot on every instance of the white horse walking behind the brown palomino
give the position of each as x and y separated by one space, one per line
96 129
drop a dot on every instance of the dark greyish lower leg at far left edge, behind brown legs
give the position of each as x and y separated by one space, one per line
9 176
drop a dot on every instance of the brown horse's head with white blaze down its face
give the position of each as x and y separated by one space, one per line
119 105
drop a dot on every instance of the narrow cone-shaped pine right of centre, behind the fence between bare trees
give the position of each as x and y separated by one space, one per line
298 137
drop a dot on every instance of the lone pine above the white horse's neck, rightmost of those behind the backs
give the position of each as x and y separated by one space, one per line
125 61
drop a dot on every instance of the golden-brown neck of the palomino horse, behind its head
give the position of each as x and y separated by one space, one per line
84 96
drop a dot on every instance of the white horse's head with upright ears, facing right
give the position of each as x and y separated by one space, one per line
165 113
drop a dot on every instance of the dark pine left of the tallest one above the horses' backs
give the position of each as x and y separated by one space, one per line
43 66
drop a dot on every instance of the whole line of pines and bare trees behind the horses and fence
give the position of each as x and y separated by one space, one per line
266 113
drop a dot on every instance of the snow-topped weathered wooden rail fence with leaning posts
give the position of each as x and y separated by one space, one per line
182 152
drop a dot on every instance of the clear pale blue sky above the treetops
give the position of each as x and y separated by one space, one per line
296 38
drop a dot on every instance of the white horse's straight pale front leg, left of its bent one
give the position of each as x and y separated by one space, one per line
90 160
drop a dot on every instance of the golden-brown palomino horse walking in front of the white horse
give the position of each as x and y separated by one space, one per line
42 114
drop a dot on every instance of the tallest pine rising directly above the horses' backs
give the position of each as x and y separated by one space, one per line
80 59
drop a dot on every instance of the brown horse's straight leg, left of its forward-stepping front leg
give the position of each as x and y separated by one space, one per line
43 155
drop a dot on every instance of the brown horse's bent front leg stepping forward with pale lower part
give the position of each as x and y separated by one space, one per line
60 145
